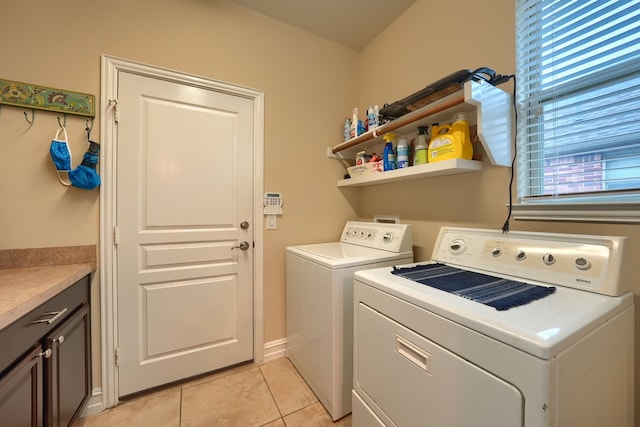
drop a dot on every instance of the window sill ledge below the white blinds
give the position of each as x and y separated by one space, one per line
595 212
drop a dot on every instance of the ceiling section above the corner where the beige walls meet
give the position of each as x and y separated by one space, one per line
352 23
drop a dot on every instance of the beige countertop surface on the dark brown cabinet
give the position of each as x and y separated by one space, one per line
23 289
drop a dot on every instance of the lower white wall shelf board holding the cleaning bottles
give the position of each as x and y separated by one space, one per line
445 167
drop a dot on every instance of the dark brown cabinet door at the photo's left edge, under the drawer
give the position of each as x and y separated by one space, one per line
21 392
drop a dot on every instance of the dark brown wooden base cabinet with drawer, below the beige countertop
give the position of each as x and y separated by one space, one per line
45 362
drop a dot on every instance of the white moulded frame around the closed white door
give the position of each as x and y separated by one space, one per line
111 66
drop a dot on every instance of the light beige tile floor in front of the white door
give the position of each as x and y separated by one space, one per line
272 394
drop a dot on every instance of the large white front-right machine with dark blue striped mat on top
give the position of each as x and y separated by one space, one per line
565 359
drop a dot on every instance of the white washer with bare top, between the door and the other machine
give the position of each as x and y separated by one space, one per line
319 304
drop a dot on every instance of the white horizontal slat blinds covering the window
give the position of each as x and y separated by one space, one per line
578 94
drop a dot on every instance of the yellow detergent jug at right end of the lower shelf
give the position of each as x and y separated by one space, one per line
451 141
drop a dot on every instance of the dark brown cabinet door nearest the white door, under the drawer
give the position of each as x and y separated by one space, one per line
68 371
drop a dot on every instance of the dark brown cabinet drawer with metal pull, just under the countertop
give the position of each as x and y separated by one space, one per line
23 334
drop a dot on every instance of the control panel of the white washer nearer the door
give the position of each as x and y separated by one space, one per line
390 237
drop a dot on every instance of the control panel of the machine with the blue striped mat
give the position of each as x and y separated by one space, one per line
586 262
